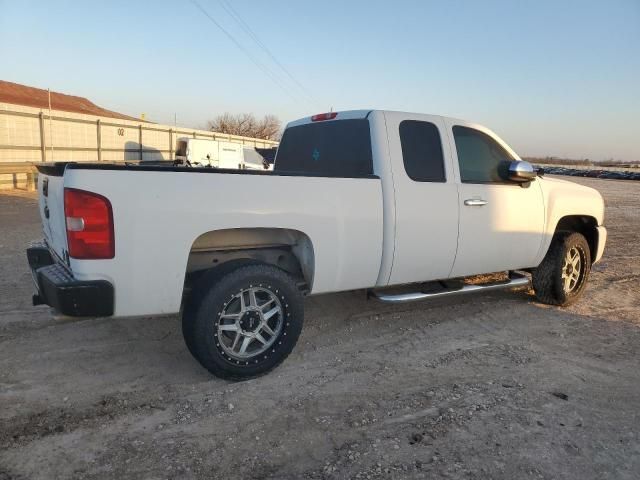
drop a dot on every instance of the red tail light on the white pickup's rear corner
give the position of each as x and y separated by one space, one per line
89 220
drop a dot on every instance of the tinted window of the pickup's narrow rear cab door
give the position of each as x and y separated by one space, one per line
422 151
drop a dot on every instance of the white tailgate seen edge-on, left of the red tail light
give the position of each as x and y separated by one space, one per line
51 206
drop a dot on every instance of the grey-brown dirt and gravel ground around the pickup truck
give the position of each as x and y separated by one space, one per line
487 386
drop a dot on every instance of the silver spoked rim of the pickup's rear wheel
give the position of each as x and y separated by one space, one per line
249 323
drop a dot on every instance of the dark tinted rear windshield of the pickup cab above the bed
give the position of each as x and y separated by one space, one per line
336 148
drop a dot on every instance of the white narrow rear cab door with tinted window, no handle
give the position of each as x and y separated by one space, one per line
426 198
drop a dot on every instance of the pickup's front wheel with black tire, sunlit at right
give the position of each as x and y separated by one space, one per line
548 282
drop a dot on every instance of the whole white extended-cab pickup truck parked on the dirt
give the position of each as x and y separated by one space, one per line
357 200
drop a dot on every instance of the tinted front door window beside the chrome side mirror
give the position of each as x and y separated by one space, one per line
481 158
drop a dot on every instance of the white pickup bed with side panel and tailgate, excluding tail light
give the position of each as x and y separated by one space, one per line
159 212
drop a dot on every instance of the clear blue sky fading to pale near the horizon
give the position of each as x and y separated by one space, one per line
552 78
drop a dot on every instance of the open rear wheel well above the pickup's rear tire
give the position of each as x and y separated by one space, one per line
289 250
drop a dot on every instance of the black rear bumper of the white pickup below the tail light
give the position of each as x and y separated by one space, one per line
56 287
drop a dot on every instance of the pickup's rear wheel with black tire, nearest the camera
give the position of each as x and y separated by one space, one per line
219 291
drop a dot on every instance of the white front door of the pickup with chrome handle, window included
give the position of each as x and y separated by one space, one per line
501 222
